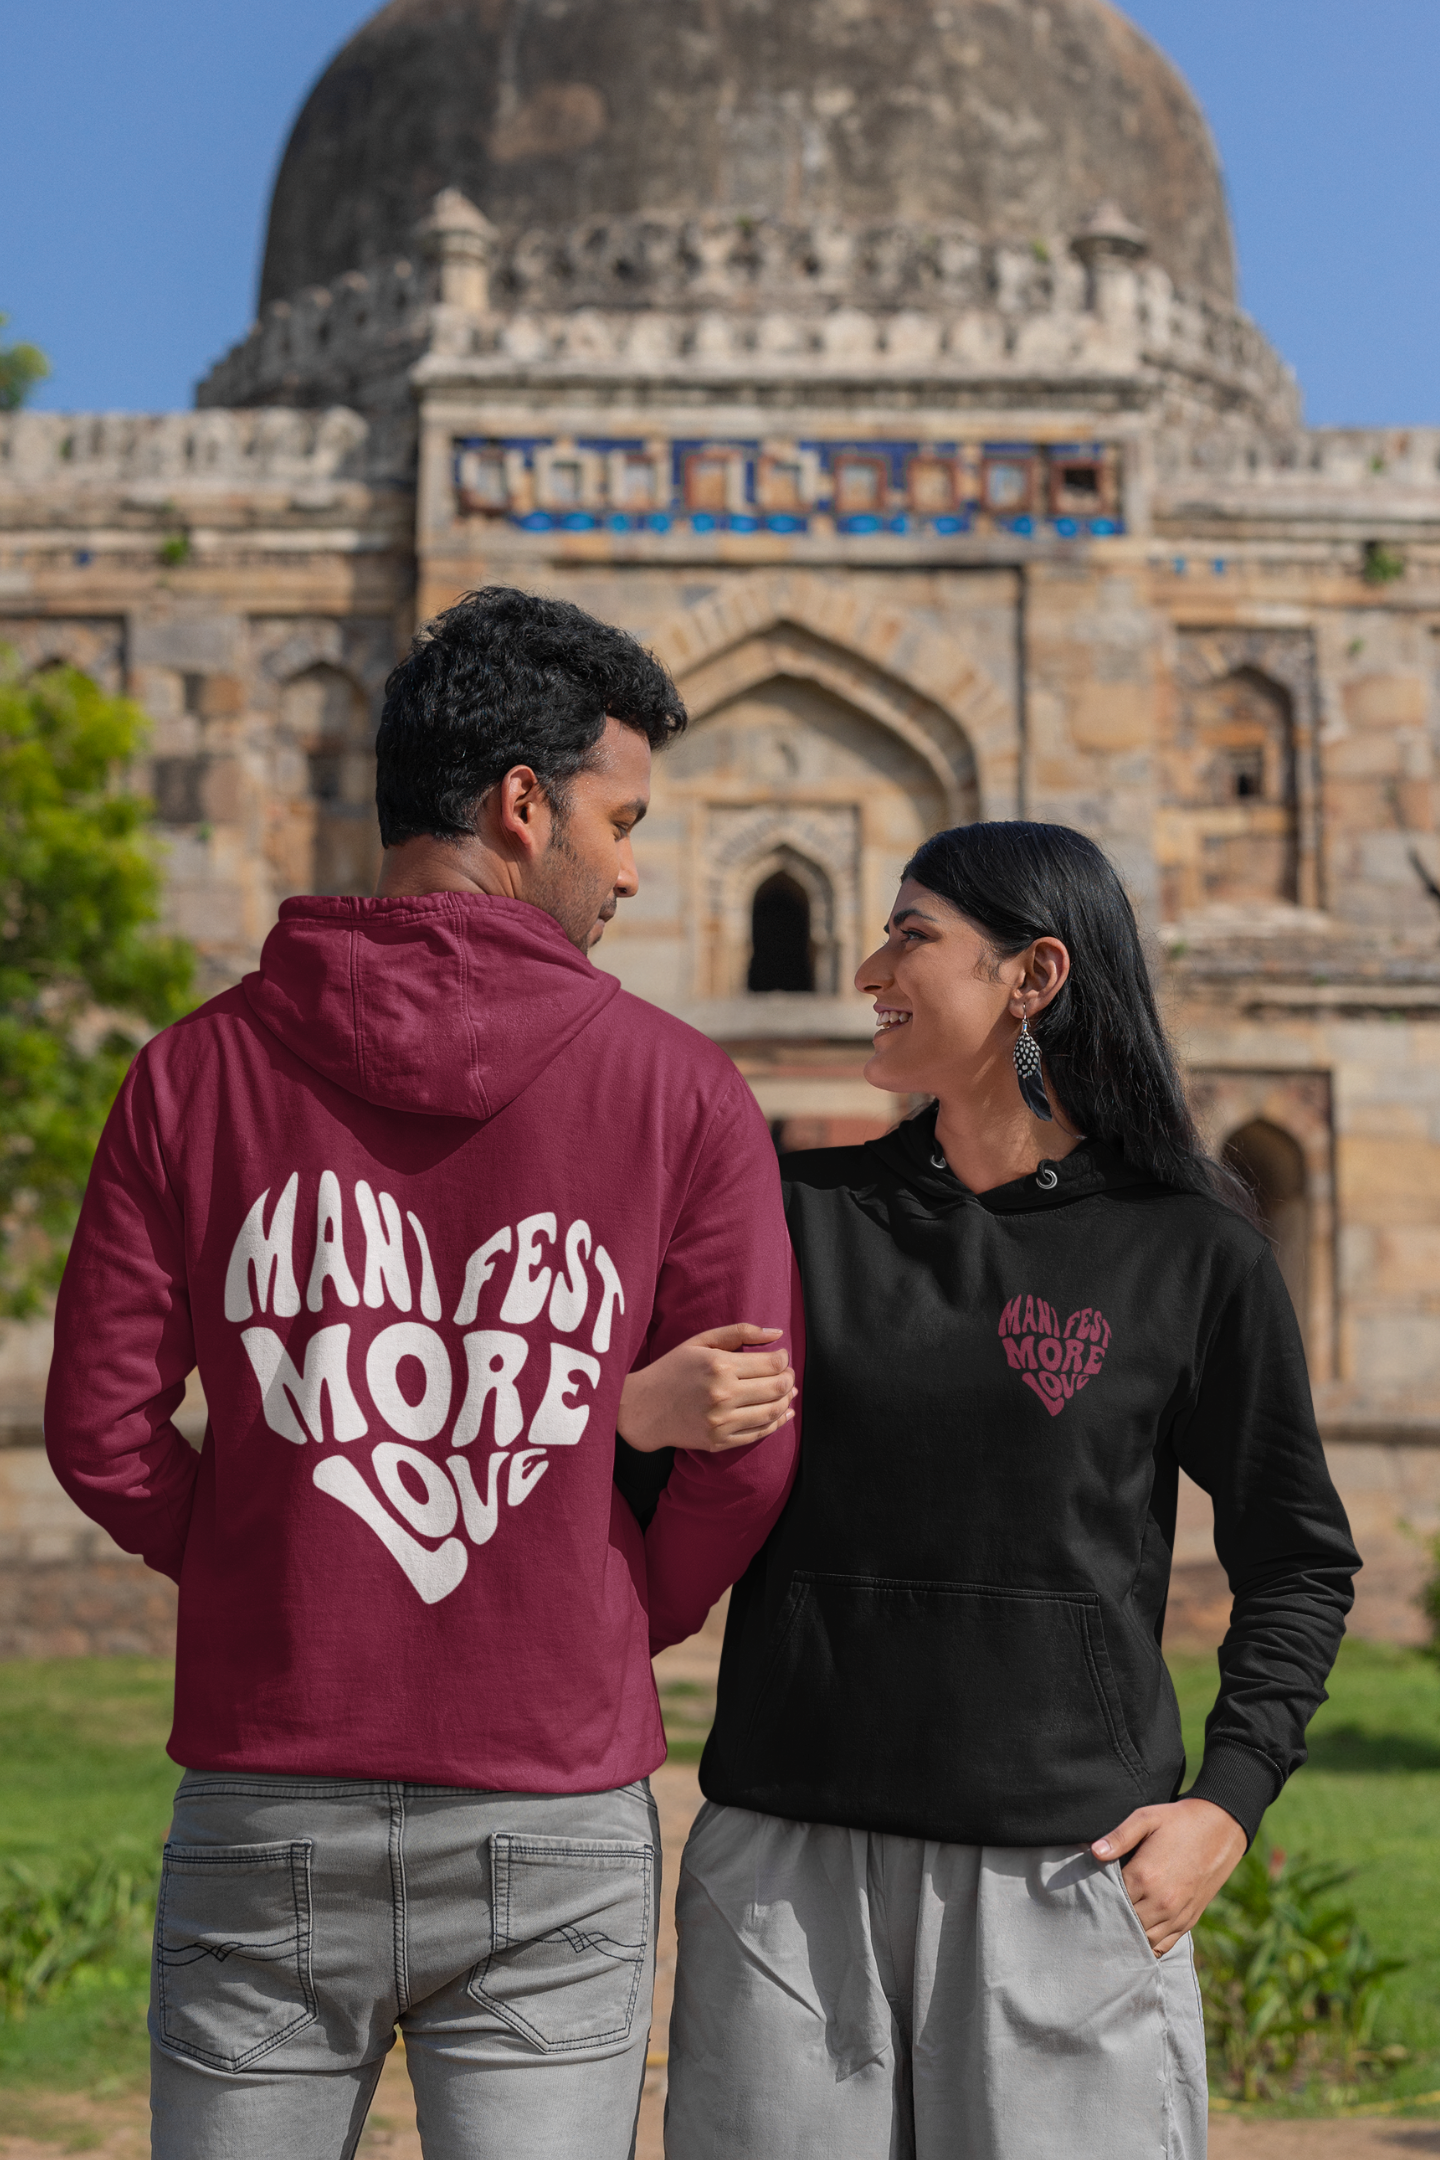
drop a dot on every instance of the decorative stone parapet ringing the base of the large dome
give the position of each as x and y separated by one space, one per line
761 299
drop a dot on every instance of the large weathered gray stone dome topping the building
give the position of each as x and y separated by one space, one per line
1014 118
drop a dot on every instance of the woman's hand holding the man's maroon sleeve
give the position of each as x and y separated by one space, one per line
709 1394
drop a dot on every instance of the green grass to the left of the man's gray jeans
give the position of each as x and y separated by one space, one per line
83 1770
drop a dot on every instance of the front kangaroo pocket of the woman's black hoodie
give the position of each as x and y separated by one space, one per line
999 1699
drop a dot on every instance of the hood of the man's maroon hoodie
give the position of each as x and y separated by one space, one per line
446 1005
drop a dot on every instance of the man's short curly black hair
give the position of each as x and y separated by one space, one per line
498 681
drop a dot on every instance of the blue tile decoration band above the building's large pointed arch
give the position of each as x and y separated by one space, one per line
854 487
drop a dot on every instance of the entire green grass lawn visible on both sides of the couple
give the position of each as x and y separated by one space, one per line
85 1770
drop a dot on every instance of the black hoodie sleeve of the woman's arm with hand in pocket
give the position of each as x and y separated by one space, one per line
1281 1535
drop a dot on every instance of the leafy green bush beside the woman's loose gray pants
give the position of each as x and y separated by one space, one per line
1288 1977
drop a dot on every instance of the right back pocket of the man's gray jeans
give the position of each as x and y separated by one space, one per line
569 1939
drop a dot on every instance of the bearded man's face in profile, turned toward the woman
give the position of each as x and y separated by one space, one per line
590 865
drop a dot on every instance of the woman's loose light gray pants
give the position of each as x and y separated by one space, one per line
845 1995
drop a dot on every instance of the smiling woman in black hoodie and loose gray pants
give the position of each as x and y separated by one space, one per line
940 1893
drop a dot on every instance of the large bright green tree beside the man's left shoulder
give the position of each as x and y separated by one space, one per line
83 975
